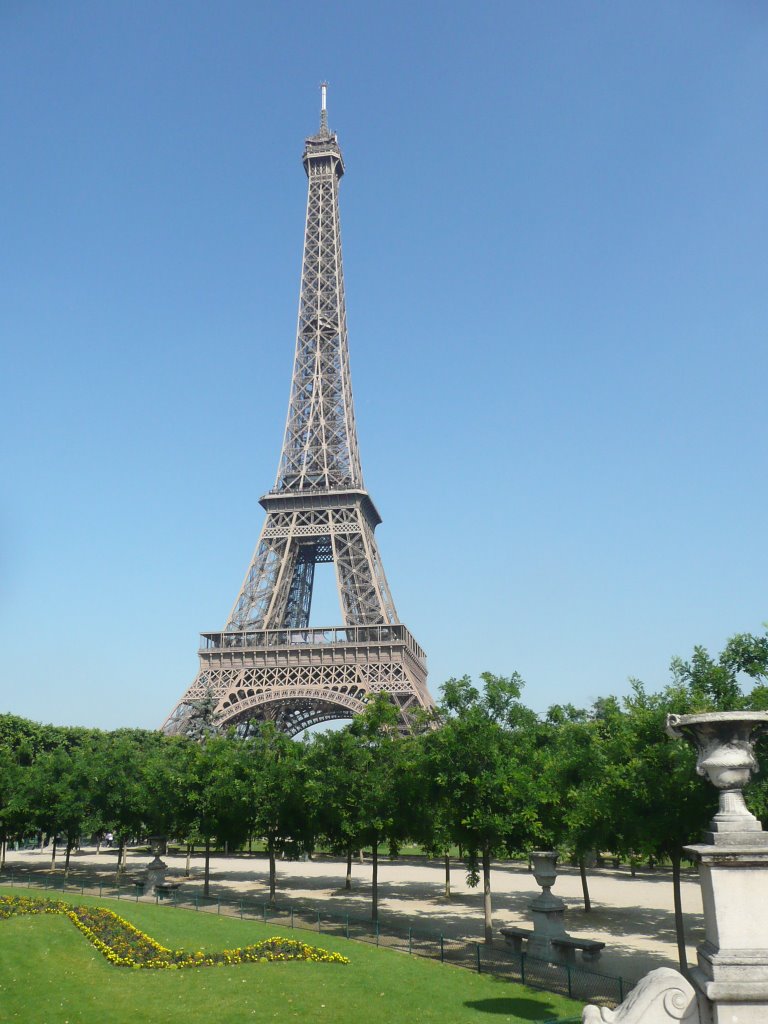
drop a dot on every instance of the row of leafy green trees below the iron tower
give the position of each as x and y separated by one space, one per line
495 779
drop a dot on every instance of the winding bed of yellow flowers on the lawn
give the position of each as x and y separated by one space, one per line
124 946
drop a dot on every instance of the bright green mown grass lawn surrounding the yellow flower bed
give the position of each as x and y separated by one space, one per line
50 974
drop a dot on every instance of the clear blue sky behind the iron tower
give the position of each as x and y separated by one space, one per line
556 223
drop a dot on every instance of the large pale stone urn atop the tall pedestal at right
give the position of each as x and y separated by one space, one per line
724 743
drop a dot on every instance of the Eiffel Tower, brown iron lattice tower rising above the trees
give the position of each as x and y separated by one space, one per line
269 664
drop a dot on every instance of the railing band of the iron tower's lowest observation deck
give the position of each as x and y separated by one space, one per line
312 636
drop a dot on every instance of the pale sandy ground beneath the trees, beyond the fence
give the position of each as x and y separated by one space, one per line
633 917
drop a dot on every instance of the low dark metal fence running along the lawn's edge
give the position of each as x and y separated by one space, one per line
566 979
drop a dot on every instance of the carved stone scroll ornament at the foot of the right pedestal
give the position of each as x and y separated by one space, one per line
662 997
